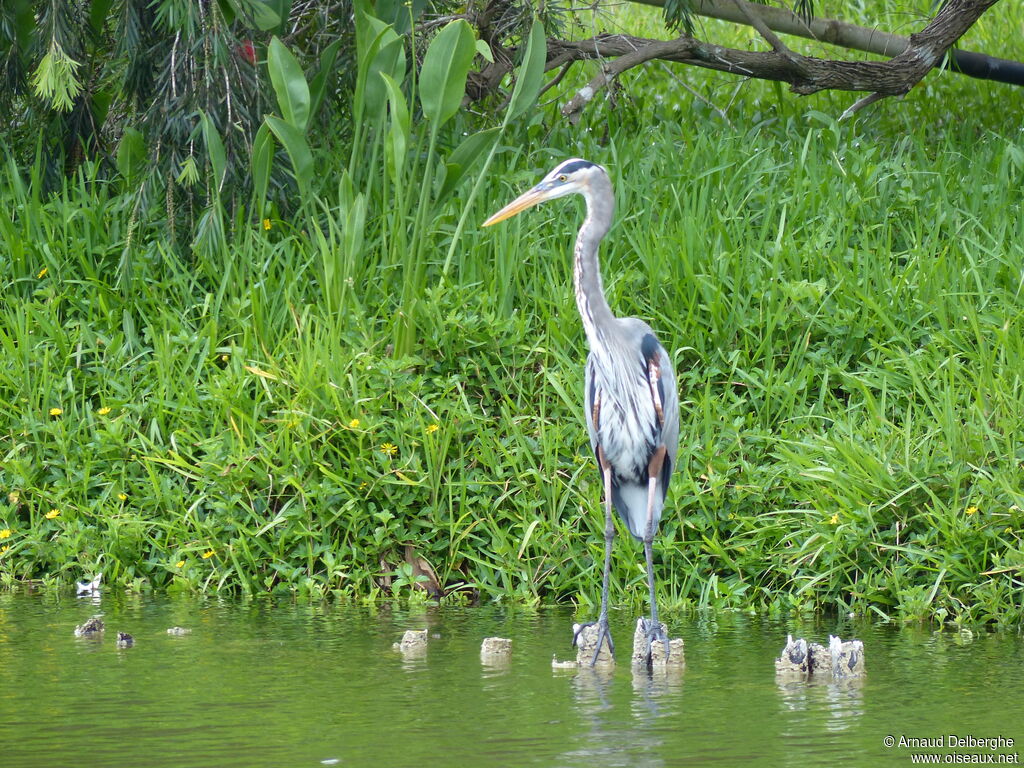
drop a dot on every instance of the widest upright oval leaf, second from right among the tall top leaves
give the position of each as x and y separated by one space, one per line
443 78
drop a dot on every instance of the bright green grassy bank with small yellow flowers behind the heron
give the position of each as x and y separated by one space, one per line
843 305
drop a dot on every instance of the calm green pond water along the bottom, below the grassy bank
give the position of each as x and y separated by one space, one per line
273 685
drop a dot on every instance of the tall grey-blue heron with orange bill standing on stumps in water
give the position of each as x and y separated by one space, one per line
631 399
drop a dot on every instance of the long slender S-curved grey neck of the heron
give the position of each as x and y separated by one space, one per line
593 307
